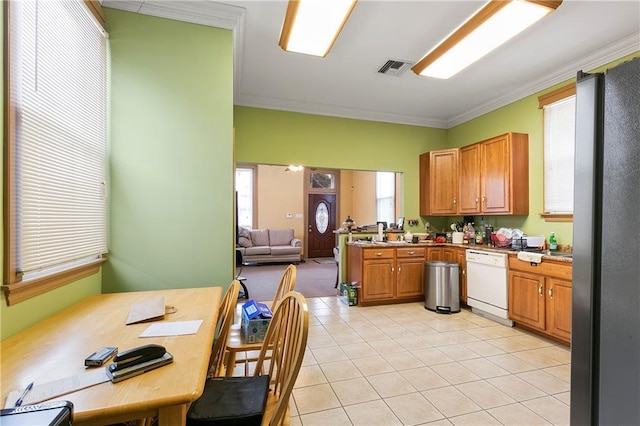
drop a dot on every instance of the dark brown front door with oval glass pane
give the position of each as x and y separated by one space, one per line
321 215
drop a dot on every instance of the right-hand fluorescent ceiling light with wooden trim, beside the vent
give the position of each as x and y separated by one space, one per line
492 25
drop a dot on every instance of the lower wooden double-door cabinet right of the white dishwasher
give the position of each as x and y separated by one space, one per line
540 297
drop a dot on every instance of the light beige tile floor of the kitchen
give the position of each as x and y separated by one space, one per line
405 365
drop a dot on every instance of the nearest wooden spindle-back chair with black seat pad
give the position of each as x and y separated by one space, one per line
278 365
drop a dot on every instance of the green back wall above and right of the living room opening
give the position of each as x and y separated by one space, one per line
278 137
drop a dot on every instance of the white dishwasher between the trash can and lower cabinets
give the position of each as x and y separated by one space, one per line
487 285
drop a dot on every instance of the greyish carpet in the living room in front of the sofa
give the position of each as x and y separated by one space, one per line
312 279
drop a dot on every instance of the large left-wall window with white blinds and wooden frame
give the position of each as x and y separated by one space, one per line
55 161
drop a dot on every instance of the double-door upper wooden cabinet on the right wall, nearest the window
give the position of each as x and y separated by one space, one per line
494 176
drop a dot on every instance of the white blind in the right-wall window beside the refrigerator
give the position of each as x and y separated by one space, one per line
559 147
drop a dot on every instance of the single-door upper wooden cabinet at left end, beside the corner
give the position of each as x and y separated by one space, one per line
439 182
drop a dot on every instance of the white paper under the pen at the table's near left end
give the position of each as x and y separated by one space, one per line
44 391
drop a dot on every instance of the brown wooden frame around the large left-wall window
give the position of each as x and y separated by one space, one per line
16 290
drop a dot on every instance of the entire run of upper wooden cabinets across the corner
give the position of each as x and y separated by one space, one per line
492 178
